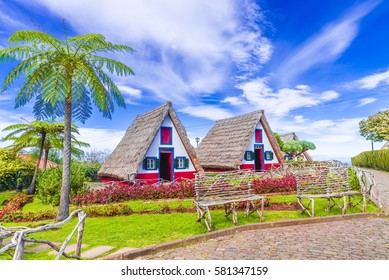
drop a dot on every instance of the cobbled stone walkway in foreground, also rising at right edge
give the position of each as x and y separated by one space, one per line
361 239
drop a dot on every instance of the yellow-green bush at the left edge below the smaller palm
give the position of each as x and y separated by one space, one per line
13 168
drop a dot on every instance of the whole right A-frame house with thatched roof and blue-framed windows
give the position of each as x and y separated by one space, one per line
241 142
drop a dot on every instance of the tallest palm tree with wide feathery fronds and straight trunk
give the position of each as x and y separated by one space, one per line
65 77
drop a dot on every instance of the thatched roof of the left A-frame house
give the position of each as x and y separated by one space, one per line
128 155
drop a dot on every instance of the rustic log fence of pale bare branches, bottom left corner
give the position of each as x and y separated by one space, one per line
20 237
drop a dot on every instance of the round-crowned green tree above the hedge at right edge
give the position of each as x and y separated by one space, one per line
376 127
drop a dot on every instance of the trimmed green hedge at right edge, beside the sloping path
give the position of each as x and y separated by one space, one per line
373 159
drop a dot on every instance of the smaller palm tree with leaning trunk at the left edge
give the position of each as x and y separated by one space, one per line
32 134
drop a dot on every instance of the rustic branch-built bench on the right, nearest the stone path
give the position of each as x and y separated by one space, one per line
325 182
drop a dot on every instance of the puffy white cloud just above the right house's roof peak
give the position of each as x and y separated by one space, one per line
258 95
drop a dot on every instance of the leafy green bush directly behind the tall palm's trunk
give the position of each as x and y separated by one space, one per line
49 183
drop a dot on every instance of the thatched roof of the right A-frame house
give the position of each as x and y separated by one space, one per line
225 144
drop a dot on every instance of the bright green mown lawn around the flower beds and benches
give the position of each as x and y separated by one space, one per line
140 230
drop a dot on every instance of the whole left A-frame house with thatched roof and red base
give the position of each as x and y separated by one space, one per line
155 147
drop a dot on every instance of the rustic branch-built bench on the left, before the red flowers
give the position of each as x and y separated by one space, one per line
228 189
